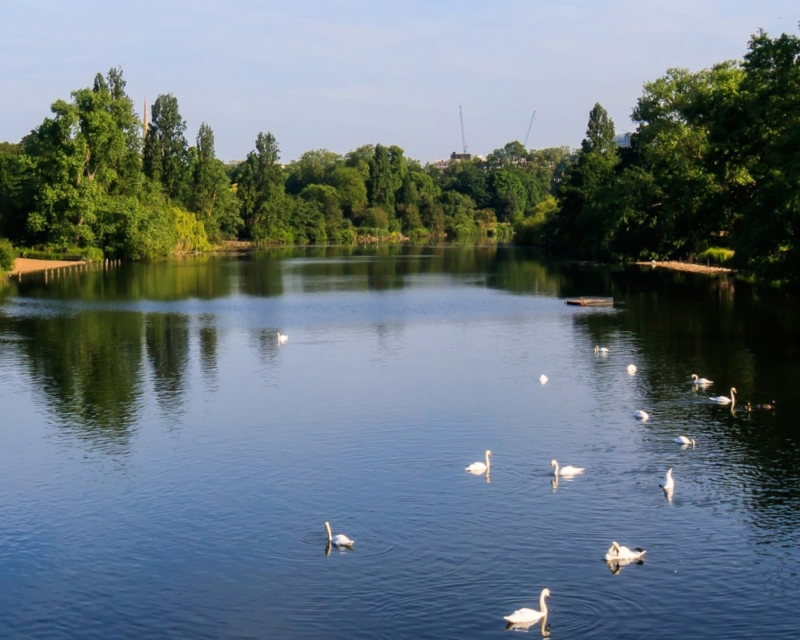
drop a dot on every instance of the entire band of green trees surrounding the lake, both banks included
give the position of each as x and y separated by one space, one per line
712 171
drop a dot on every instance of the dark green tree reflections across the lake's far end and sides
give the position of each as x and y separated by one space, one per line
87 357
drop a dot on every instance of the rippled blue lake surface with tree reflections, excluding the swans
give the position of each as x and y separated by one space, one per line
167 467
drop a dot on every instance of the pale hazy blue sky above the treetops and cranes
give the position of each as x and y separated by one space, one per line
337 74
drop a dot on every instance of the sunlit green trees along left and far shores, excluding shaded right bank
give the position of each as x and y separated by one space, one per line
92 179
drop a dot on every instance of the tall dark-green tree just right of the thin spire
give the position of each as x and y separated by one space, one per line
165 155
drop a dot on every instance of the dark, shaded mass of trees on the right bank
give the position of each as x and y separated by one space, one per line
713 166
